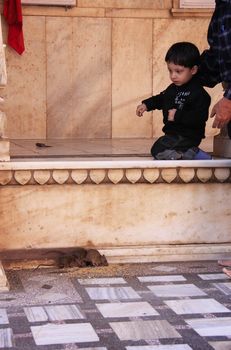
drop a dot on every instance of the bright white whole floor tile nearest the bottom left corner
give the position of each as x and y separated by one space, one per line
64 333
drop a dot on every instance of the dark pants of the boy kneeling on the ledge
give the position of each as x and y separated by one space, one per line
172 142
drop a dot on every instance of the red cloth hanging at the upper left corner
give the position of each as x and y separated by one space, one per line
13 14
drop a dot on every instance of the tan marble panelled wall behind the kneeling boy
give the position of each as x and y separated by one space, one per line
82 77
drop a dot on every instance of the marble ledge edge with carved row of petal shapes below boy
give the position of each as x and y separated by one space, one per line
113 171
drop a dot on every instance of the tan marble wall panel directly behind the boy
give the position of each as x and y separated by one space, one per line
166 32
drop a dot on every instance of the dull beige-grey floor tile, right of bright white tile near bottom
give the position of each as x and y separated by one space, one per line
147 330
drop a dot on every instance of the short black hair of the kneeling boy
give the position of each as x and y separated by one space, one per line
183 54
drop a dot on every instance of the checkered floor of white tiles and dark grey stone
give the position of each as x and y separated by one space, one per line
166 306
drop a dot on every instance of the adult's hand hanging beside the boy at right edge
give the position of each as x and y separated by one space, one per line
222 112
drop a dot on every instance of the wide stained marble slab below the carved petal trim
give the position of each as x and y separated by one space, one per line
116 215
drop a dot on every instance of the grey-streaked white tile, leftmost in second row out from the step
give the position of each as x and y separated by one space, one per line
112 293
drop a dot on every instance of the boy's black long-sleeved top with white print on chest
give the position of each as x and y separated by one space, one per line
192 104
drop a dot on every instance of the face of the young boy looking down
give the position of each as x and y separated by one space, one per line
180 75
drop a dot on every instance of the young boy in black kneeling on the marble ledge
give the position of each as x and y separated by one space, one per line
185 106
